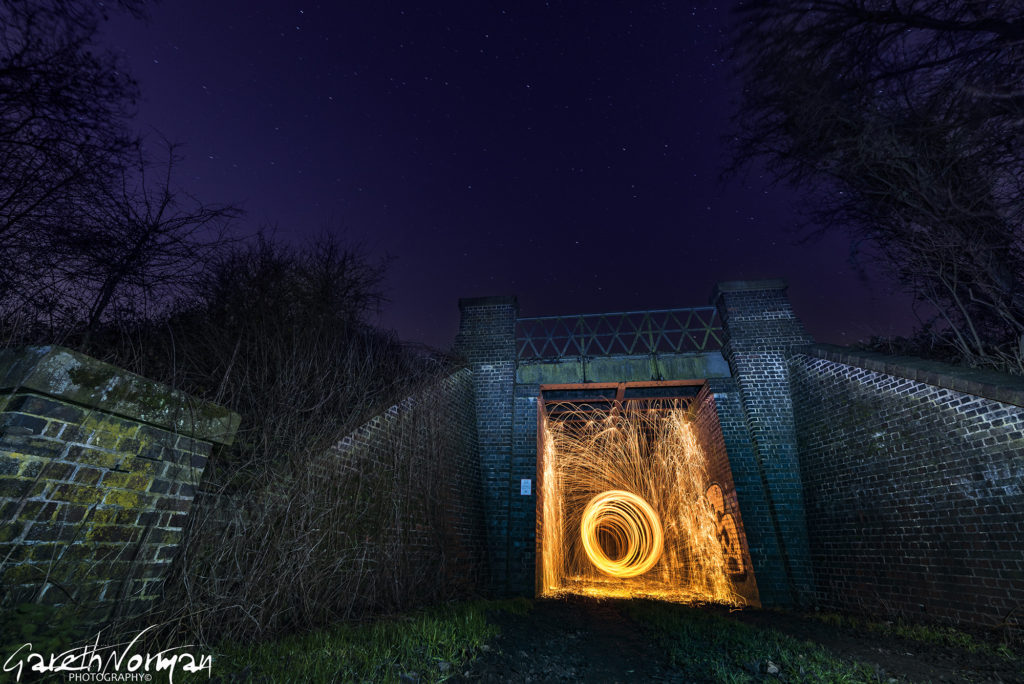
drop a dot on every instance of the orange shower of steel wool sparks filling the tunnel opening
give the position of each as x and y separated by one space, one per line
625 510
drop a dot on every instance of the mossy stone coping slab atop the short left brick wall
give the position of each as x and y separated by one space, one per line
76 378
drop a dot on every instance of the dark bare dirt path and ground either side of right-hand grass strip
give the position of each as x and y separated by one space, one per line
585 640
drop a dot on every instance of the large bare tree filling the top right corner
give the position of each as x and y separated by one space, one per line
905 121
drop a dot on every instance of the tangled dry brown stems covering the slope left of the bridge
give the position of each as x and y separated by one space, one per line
338 534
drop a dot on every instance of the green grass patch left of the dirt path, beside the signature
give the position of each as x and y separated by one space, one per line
435 644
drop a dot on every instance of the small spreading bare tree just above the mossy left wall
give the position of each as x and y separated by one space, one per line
127 254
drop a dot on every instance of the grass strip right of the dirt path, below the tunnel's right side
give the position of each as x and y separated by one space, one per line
709 648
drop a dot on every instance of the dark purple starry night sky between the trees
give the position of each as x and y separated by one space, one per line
569 154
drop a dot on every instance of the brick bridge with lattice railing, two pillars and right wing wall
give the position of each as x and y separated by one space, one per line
864 483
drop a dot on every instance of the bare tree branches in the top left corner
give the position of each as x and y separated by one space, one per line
65 104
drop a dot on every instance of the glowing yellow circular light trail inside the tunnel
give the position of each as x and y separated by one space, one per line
629 526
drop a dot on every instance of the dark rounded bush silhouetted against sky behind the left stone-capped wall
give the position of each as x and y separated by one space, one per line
281 334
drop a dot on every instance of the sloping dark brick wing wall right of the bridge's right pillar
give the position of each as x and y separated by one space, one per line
915 492
